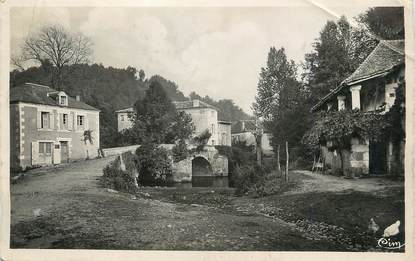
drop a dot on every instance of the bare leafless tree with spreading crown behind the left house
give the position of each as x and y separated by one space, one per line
59 47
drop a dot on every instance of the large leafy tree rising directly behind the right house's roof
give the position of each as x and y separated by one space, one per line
338 51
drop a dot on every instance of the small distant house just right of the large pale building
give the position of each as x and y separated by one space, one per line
243 131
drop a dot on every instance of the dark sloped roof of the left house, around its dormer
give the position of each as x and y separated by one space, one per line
38 94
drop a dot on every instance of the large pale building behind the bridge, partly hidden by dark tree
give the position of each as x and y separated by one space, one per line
204 117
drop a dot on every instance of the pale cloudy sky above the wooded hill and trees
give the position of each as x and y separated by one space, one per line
215 51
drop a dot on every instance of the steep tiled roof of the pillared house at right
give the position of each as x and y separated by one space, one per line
386 56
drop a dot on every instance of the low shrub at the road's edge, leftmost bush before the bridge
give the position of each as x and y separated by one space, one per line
117 179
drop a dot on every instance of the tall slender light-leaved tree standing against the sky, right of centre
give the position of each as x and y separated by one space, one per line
272 79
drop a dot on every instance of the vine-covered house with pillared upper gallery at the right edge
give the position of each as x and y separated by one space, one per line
371 88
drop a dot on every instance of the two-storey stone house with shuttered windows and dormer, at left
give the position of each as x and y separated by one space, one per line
48 127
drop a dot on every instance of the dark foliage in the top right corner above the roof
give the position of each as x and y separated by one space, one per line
384 22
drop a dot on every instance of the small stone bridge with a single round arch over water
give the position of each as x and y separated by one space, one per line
207 162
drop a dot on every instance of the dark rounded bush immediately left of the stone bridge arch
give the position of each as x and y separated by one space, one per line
154 164
